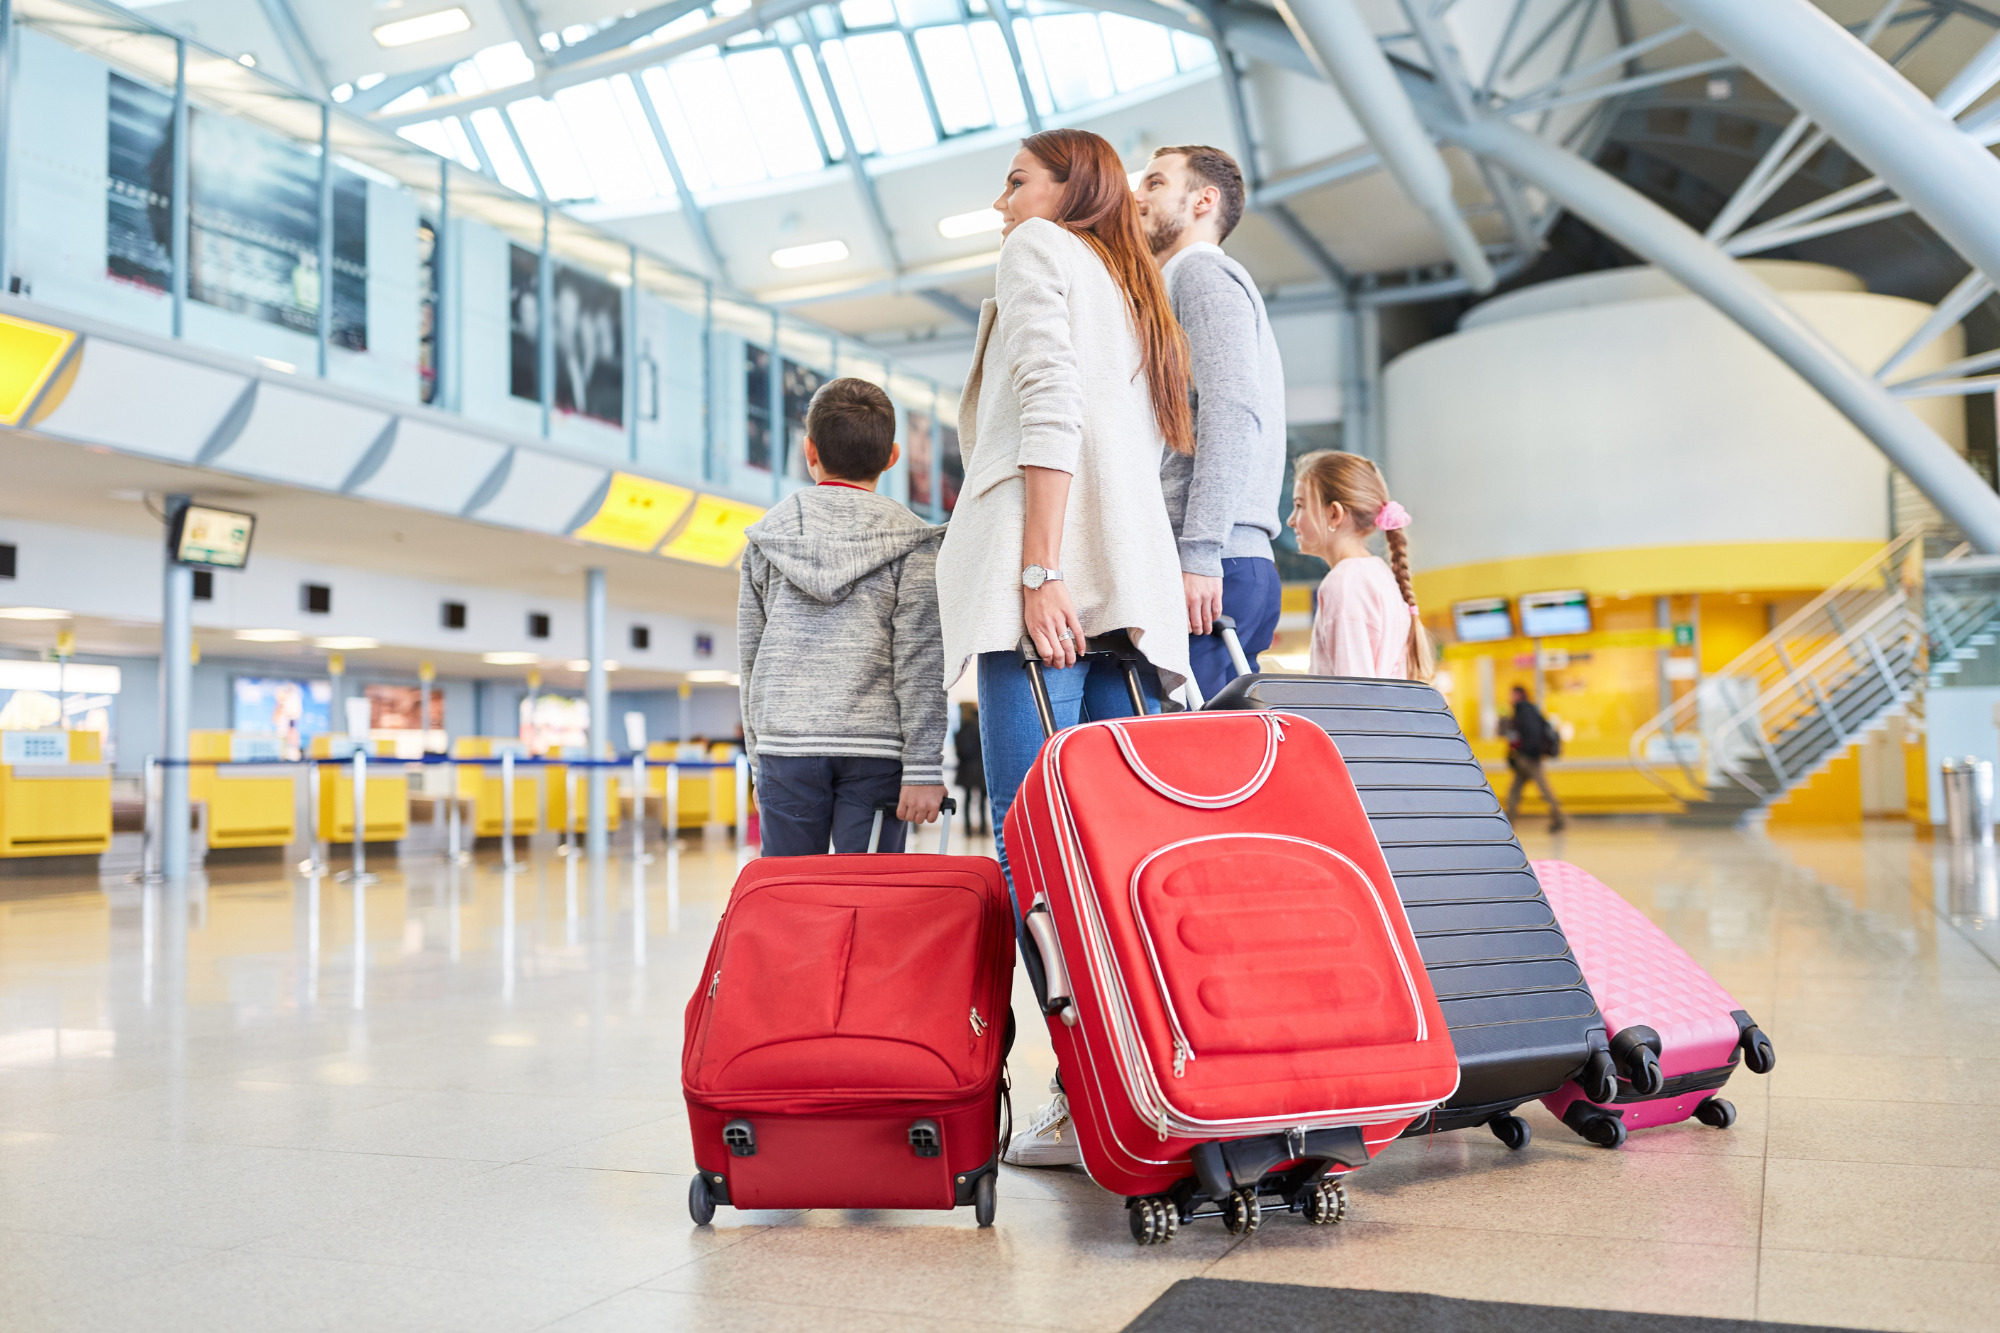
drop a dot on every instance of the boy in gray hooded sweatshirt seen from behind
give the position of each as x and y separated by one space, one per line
843 655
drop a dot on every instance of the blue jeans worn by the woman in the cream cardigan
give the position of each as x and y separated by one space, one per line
1011 732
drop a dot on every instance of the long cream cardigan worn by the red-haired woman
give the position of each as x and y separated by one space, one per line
1057 383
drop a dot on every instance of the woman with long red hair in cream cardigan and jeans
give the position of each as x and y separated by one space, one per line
1079 381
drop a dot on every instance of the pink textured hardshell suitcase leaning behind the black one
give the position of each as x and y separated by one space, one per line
1677 1034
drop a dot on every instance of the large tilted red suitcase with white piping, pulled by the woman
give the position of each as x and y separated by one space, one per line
1237 1004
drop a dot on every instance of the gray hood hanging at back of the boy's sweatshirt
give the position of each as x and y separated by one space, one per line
827 539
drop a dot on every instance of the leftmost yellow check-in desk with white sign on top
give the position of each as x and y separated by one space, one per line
55 794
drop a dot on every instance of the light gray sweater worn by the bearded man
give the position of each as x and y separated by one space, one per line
1225 499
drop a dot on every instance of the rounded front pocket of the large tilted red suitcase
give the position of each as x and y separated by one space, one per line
1267 944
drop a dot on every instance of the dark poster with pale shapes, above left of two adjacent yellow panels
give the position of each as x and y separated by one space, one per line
587 325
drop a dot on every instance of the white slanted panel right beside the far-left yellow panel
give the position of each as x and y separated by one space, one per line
143 401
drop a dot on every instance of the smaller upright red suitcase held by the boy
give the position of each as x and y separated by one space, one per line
847 1042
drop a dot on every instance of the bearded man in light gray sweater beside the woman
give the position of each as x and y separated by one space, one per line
1225 499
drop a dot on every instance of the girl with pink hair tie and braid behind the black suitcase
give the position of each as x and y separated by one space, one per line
1365 623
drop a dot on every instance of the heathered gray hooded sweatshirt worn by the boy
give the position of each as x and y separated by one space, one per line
839 629
